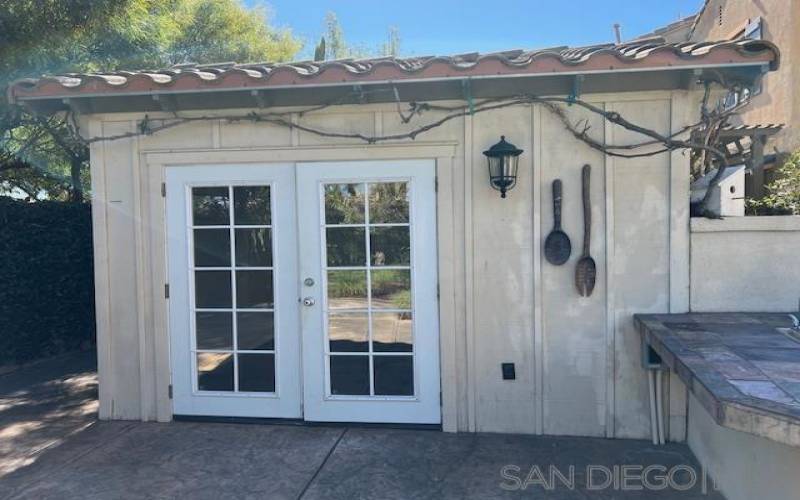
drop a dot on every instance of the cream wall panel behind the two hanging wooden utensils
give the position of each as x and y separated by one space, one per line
573 326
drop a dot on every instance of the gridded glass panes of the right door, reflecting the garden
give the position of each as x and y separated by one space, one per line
368 253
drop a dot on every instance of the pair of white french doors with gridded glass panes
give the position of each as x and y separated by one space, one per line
304 291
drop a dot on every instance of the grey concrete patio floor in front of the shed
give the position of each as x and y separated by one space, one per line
57 450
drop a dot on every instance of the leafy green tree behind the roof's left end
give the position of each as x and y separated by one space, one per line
39 156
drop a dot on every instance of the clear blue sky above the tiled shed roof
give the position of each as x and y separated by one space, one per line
448 27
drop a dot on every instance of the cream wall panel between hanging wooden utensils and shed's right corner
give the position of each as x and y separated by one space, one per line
641 246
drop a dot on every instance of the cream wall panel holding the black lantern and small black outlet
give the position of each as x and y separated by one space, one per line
503 266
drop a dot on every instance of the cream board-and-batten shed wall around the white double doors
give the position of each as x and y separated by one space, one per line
578 359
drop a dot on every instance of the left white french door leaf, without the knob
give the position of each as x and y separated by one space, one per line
234 330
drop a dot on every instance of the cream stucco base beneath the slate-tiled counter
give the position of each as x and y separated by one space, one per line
742 465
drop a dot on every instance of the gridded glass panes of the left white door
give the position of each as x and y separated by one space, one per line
234 331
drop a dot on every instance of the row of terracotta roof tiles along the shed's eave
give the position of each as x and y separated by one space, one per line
648 54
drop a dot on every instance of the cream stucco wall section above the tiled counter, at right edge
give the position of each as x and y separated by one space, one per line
747 264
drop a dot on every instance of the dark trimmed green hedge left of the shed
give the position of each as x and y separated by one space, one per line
46 279
